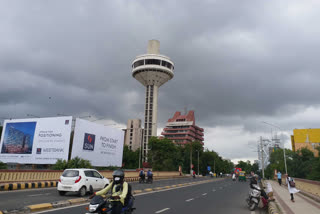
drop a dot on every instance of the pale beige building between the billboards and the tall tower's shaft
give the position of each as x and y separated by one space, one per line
133 134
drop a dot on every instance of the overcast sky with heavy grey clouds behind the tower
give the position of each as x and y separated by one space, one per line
237 63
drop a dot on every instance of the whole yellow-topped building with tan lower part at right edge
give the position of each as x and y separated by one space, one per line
306 138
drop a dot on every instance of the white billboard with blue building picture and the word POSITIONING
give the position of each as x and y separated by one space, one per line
36 140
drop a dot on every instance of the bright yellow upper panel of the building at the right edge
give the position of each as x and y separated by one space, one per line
306 135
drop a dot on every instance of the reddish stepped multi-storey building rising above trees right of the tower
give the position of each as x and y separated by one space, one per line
182 129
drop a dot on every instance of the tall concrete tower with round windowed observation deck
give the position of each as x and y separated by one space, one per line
152 70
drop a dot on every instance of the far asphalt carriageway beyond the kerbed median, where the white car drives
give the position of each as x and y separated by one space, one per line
18 199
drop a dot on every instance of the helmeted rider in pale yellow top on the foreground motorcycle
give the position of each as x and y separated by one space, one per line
119 191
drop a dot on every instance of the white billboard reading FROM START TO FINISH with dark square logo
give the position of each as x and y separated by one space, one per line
101 145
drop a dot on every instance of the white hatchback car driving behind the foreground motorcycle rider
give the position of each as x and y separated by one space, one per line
81 181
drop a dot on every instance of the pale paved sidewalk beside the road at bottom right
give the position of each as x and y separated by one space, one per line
302 204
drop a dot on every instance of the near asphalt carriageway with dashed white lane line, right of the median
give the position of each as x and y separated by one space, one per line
224 196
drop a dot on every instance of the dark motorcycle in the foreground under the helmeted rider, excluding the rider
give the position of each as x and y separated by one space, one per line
99 205
